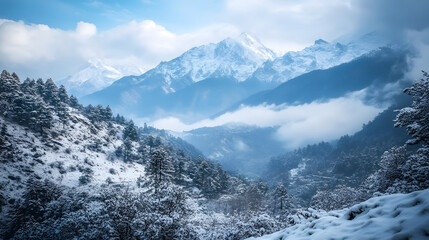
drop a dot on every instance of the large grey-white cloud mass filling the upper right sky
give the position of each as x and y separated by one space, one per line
294 24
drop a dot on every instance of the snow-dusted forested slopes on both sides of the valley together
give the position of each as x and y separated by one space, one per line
75 172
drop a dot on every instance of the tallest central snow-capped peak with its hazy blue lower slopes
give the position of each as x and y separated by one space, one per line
207 78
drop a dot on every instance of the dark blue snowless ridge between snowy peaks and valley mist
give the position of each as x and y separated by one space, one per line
370 71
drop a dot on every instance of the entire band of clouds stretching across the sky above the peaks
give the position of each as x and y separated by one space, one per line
39 50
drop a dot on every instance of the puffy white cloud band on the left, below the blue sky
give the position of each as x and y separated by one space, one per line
37 50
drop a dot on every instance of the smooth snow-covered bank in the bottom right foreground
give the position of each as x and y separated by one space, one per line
398 216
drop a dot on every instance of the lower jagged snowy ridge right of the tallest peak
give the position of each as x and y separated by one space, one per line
321 55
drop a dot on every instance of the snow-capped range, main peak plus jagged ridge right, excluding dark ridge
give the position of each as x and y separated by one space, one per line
210 78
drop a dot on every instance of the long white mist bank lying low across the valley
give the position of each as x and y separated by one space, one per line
298 125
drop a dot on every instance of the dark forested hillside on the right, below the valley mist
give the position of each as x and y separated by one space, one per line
336 175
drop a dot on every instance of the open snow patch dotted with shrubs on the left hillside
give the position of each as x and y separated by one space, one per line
68 155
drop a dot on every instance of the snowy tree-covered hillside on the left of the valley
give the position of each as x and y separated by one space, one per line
69 171
